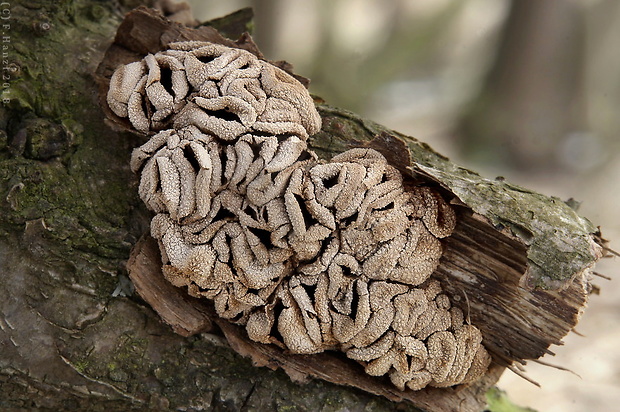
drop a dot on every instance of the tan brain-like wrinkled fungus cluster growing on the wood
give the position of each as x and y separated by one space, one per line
308 255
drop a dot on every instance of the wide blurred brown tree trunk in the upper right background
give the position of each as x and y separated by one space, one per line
533 96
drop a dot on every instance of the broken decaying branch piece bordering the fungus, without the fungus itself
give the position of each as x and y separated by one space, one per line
517 270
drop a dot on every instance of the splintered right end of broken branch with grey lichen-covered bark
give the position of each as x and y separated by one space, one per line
493 261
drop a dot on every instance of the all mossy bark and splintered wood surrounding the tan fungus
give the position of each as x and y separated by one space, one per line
73 335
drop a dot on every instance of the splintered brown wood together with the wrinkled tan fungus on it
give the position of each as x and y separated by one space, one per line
374 254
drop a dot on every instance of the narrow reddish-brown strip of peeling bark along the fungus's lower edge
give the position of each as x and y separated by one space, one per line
329 366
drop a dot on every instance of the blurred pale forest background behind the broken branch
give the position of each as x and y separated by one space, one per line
526 89
